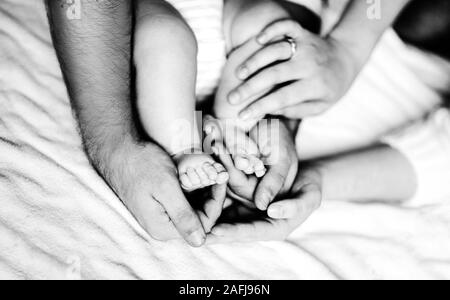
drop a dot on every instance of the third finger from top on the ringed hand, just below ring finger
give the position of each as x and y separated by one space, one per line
262 82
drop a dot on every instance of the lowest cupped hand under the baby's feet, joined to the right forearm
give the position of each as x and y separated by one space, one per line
283 218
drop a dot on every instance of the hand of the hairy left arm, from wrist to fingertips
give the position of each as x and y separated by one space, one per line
144 177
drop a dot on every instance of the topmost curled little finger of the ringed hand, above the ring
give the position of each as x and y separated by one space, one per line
282 28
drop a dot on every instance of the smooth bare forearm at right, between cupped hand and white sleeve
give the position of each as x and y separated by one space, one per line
377 174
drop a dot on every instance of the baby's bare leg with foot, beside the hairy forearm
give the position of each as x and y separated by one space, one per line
165 57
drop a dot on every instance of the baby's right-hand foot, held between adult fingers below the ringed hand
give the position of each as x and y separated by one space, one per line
243 149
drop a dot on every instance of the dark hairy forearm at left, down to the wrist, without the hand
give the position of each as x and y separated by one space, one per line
95 55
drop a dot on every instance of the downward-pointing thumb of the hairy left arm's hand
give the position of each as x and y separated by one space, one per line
181 213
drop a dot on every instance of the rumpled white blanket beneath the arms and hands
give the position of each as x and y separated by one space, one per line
58 219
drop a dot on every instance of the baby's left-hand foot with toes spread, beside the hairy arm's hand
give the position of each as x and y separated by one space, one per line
198 171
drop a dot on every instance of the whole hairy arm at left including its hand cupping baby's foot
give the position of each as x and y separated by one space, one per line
142 175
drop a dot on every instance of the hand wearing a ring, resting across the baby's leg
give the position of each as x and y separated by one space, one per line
314 73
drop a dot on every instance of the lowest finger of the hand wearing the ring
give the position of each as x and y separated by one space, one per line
290 95
